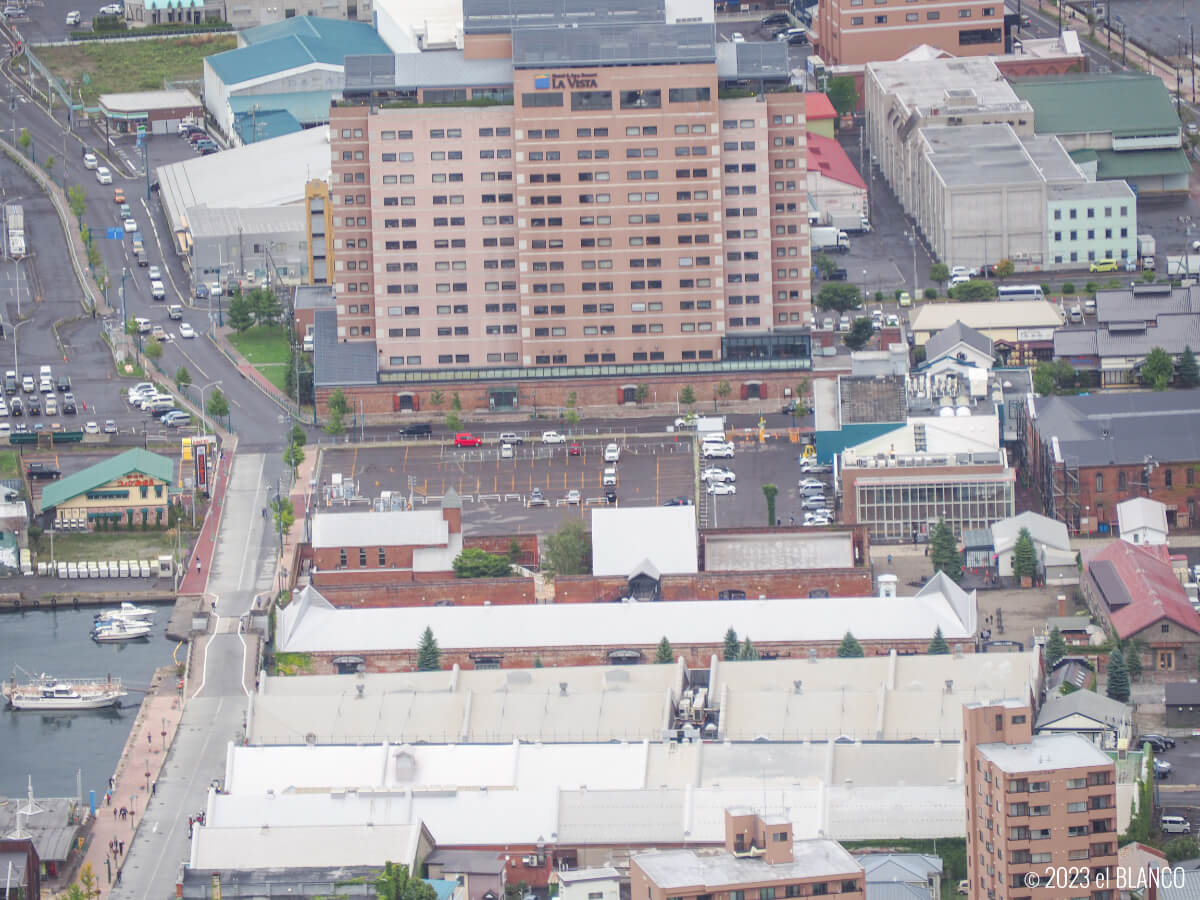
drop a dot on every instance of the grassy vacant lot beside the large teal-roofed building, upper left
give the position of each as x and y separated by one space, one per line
140 65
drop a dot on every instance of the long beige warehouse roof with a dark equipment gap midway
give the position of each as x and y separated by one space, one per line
887 698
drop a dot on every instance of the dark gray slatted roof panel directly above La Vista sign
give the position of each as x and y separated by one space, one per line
616 45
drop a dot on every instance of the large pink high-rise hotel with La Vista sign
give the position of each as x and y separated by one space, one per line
549 201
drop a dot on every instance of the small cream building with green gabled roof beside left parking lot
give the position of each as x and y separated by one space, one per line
128 490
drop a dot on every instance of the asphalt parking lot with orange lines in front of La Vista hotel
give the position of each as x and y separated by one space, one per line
496 491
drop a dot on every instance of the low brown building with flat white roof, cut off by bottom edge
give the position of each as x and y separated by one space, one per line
760 860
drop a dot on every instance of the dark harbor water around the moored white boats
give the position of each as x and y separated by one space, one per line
52 747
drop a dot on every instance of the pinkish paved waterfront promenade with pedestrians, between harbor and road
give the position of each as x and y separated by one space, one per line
136 781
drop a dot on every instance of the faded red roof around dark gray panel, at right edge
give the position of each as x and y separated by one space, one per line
1156 593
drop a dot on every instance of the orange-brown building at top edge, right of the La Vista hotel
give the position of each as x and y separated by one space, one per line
856 32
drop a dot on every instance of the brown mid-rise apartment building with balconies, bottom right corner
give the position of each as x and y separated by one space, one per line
1036 806
